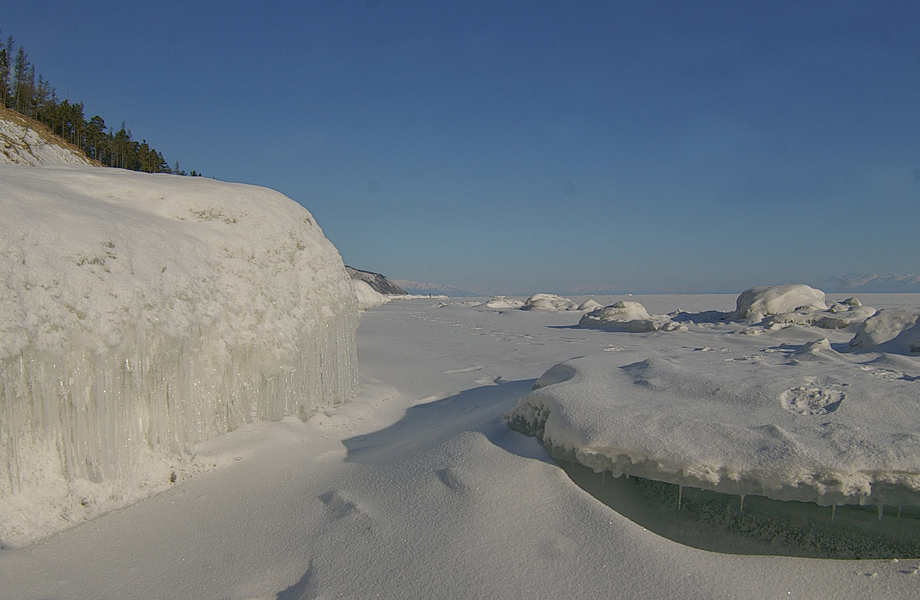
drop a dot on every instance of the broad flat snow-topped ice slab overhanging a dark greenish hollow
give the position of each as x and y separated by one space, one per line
814 425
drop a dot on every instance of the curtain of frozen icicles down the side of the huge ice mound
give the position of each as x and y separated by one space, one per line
103 416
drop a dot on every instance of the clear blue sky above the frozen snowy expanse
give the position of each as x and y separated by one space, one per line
531 146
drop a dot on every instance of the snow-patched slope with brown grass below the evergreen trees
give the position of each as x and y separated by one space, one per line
22 142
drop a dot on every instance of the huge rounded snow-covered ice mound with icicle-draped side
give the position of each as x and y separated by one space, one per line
142 314
